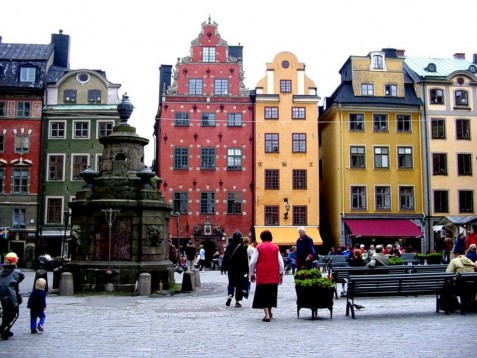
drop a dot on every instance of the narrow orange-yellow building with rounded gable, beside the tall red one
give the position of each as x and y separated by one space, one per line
286 152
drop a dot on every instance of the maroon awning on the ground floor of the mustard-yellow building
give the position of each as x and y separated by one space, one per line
383 228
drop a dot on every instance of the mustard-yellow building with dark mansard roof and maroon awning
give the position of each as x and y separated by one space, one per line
370 155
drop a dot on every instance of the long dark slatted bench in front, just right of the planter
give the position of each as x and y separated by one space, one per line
397 285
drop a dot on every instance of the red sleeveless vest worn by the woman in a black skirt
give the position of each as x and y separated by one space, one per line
267 268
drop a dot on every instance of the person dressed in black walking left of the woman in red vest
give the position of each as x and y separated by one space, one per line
235 263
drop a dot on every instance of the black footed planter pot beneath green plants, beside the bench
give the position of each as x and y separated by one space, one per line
314 298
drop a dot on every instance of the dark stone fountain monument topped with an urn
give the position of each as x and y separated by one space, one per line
120 221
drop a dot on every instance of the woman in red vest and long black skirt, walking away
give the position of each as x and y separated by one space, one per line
266 269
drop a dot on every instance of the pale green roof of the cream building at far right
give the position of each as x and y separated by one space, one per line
444 66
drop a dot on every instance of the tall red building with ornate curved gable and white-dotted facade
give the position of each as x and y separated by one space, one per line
204 143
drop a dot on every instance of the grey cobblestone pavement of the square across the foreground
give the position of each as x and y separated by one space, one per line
199 324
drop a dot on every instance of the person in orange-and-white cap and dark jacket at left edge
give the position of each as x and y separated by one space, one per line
10 278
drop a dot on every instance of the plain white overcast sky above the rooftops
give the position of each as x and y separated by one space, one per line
130 40
